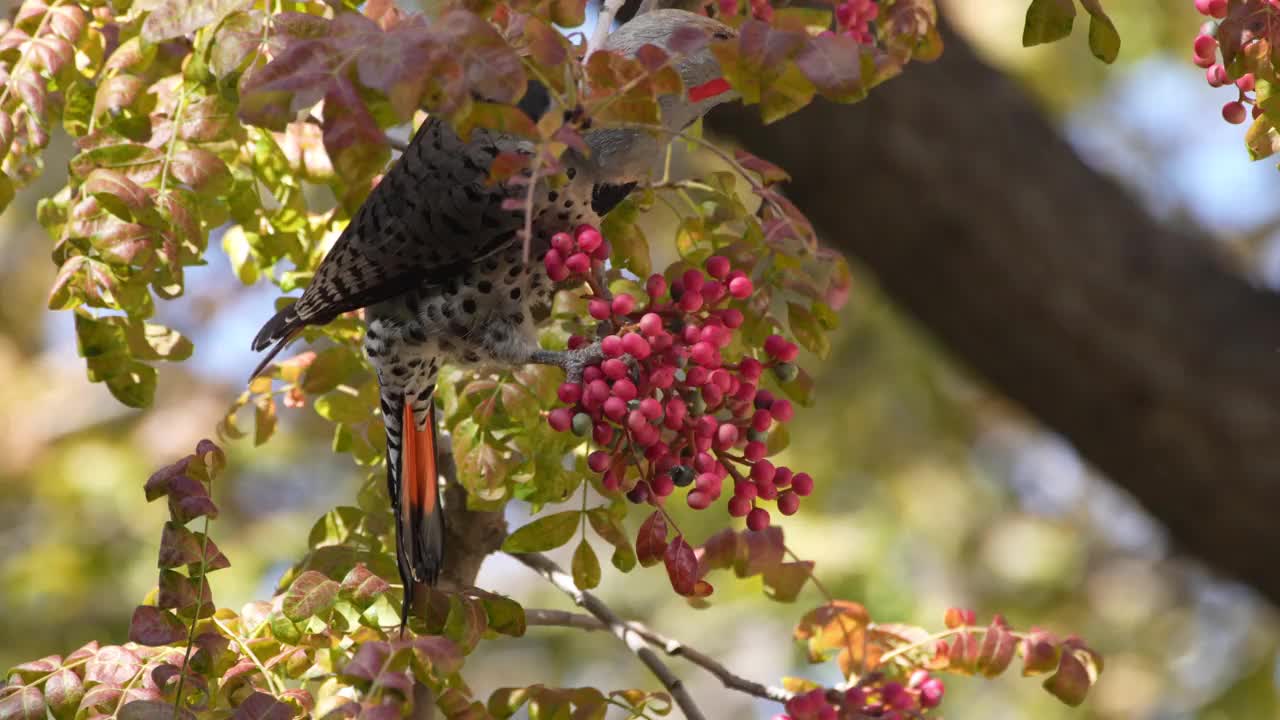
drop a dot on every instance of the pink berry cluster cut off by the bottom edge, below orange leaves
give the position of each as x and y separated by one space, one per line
884 700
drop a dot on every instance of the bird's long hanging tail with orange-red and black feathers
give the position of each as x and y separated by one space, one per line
414 489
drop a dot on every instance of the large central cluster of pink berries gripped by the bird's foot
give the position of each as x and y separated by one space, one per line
665 405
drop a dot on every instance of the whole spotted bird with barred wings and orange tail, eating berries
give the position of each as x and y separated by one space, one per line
438 265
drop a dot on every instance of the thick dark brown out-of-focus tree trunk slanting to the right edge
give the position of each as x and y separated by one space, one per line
1133 340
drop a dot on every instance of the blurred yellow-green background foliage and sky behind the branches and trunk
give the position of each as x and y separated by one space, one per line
932 491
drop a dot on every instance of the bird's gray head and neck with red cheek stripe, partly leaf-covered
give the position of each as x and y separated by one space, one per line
628 154
